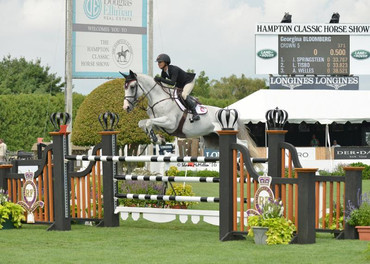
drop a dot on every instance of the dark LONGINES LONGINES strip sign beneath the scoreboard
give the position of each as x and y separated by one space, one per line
315 82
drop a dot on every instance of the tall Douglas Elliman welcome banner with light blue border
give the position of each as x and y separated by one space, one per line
109 37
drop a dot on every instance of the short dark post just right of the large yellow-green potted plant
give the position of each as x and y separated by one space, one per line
306 205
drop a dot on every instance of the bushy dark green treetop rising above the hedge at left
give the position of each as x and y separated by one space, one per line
18 76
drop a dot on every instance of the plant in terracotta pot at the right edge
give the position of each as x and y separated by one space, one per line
360 217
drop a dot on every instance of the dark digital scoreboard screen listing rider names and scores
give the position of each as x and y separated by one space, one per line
314 54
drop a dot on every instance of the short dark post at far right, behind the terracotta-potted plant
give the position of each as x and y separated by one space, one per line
353 192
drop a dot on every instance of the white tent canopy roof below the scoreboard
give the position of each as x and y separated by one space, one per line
310 106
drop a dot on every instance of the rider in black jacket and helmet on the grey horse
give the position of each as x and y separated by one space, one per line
174 75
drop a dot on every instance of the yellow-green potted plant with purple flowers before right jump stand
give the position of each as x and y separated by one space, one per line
269 216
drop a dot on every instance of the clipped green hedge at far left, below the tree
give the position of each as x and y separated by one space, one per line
25 117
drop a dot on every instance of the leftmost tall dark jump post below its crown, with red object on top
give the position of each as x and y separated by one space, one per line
62 183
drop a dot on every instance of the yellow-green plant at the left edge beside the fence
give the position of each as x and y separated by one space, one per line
11 214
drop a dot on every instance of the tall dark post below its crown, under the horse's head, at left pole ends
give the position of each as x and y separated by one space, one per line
109 148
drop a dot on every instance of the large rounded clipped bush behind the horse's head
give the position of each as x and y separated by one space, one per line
109 97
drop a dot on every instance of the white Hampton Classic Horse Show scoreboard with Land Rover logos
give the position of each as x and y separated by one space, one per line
312 49
